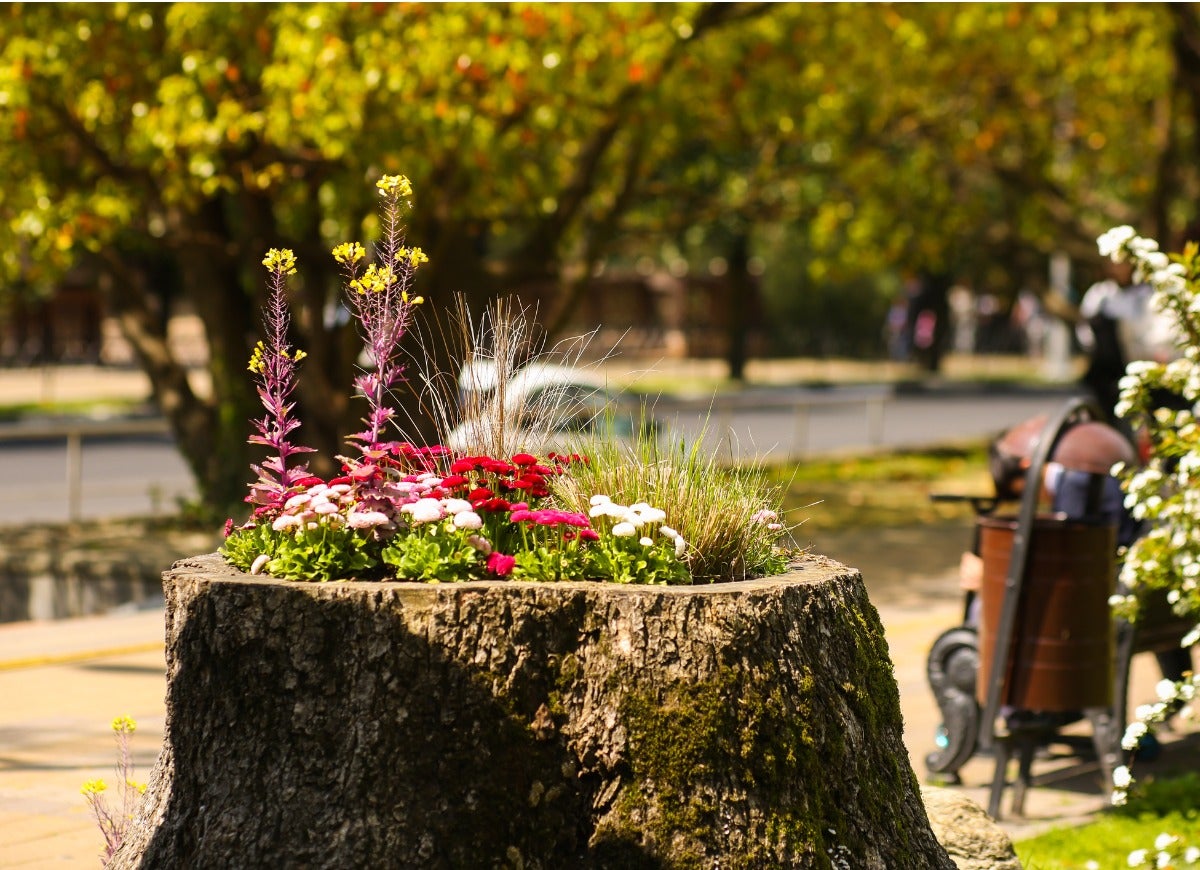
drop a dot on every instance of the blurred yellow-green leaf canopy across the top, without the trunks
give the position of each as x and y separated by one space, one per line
877 128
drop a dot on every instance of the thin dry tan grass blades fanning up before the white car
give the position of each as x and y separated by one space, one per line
493 400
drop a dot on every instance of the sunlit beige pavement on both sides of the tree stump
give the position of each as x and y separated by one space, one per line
64 682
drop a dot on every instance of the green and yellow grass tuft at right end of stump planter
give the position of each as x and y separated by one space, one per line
729 517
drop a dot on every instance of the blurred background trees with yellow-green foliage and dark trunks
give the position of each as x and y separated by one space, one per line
801 157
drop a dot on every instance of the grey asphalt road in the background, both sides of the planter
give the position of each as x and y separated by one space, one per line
141 476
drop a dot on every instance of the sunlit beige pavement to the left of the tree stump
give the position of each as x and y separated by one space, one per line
63 683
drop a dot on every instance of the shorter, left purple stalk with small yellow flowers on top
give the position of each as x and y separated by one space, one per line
274 369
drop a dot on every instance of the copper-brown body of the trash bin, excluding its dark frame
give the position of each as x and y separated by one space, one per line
1063 649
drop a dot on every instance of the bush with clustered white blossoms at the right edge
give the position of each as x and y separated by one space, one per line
1160 400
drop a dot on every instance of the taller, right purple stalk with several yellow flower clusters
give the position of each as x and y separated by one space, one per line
379 297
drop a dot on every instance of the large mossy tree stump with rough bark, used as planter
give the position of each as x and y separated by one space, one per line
529 725
